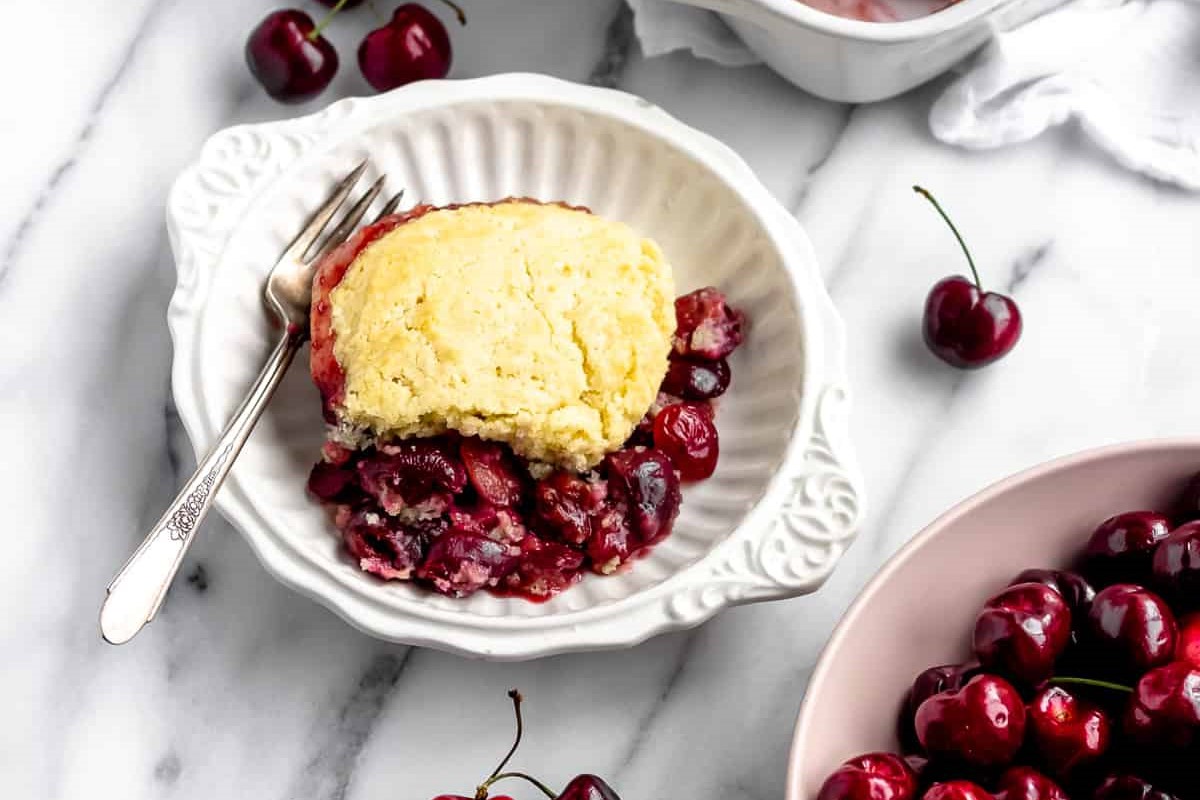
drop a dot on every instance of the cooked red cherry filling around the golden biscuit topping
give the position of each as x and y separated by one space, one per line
460 515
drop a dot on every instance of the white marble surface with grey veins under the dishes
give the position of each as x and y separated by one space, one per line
243 689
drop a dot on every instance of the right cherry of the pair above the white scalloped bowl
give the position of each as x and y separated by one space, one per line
412 46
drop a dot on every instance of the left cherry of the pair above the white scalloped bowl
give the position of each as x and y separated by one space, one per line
290 58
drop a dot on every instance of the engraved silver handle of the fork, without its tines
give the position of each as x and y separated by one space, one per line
137 592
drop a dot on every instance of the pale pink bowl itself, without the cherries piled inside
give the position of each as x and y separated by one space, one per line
921 609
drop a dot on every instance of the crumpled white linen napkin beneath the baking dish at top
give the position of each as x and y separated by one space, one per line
1129 71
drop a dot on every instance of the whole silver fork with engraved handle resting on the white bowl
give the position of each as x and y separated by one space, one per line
137 592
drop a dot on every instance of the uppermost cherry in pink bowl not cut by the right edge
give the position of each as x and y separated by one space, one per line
1120 550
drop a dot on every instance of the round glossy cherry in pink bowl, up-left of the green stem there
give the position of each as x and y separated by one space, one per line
1023 631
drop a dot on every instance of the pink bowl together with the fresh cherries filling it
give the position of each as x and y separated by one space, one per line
1039 642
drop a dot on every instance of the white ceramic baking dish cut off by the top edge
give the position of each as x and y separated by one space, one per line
856 62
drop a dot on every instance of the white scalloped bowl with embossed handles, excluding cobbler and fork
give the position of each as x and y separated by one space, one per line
787 498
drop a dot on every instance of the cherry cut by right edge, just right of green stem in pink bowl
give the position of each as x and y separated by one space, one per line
1165 711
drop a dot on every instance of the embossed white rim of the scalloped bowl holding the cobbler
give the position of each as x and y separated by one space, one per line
815 498
